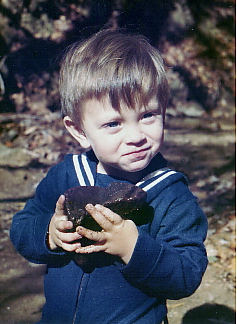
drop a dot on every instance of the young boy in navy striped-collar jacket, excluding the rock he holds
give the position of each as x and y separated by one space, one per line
114 95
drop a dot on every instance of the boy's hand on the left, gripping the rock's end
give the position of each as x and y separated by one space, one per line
58 230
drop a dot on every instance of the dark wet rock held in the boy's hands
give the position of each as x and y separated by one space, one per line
127 200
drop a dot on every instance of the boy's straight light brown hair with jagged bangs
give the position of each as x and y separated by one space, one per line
125 68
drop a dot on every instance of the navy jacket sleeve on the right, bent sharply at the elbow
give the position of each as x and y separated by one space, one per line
169 258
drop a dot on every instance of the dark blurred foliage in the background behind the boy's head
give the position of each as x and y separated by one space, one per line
196 38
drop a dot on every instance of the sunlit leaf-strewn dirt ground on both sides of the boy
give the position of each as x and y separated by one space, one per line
203 148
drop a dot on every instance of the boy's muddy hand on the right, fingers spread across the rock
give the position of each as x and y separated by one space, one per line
118 236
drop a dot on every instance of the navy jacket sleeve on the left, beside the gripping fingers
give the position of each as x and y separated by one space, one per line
29 226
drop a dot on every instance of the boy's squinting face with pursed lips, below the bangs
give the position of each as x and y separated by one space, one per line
124 142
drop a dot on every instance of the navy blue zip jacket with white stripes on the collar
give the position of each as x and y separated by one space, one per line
168 261
